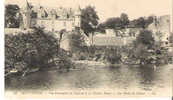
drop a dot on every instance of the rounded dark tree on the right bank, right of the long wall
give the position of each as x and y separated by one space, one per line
143 43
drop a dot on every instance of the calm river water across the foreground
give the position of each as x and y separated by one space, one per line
121 78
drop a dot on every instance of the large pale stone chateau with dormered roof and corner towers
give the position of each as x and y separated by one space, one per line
52 19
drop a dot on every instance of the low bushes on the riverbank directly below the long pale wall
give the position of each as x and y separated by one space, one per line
110 55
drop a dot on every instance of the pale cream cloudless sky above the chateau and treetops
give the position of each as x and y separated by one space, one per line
110 8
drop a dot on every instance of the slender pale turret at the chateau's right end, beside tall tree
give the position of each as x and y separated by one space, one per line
78 17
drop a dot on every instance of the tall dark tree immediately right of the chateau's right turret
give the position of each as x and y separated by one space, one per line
89 20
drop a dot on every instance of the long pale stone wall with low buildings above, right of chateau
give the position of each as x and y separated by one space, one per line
116 37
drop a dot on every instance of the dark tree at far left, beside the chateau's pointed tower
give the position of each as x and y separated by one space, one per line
11 19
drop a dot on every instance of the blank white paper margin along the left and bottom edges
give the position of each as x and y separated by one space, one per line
2 65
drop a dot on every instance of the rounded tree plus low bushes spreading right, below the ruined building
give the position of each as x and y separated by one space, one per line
146 50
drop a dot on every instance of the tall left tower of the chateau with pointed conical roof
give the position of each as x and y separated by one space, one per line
26 14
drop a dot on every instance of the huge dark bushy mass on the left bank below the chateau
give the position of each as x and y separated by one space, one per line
36 49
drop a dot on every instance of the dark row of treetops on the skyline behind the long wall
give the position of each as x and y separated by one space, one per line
123 22
